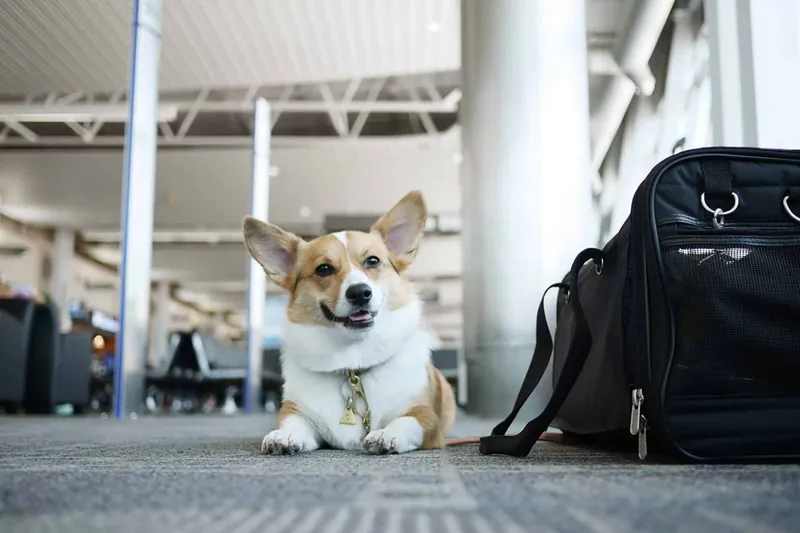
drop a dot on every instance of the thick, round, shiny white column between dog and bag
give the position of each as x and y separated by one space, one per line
527 206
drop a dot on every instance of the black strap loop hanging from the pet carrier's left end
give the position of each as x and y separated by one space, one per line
520 444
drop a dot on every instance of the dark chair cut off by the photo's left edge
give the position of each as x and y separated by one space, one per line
13 360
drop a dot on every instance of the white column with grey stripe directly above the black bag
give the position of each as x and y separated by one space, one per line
755 72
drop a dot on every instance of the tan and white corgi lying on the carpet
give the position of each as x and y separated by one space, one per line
356 355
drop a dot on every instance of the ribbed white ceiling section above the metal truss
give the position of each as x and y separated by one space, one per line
73 45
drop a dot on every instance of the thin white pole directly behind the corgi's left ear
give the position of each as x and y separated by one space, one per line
257 290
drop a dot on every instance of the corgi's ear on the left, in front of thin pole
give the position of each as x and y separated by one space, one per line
273 248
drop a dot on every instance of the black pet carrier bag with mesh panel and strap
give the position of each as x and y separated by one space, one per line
683 333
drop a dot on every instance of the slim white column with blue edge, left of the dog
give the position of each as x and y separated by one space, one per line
137 209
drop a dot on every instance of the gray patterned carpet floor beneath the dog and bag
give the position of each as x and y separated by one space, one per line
199 474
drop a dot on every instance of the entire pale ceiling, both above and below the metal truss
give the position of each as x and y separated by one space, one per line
83 45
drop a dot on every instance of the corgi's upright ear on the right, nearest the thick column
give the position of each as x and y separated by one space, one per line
402 228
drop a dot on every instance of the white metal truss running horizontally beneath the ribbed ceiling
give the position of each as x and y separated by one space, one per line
203 117
